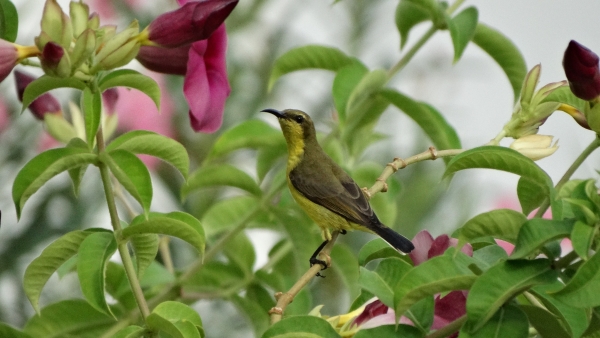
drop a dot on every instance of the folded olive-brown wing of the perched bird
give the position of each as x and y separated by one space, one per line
333 189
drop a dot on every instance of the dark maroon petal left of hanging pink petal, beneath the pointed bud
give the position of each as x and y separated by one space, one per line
165 60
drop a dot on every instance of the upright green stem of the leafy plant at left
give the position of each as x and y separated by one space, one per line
116 224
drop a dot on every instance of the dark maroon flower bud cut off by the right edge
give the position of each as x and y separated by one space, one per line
581 68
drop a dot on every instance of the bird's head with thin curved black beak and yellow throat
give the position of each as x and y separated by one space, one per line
296 125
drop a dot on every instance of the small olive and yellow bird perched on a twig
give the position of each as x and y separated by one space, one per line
323 189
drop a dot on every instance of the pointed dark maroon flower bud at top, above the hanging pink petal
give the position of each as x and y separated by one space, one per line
192 22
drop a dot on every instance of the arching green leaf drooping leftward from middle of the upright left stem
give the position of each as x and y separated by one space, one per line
43 167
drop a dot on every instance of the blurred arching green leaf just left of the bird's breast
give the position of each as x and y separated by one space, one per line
220 174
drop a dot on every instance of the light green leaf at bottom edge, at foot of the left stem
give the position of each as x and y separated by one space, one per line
169 317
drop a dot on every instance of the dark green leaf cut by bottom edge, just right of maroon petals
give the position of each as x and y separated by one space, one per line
508 322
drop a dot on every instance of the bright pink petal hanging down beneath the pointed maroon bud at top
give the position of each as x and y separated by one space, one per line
206 86
